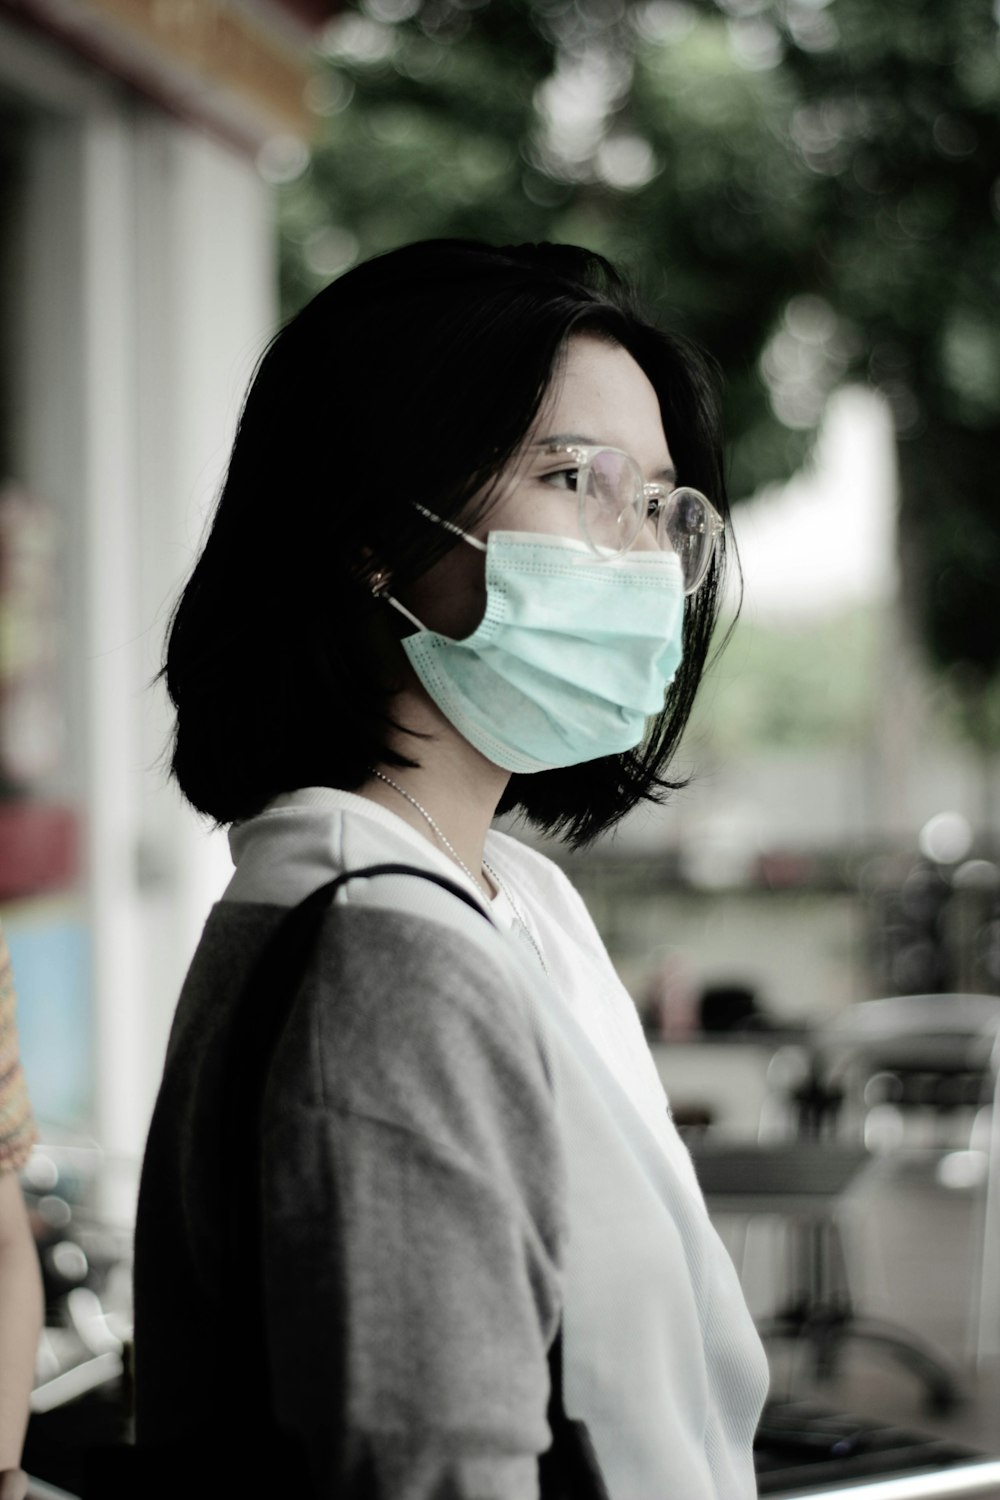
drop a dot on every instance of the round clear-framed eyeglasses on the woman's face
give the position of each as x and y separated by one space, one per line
615 505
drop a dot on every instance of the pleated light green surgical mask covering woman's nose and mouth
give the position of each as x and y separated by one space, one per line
572 658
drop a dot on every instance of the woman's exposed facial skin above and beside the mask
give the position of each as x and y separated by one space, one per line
599 397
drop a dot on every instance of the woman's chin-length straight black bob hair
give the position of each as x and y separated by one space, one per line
413 379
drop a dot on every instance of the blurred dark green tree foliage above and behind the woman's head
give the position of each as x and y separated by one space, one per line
807 188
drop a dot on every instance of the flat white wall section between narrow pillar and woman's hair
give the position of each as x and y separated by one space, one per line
206 310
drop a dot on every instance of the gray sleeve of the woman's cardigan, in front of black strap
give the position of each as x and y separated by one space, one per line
415 1198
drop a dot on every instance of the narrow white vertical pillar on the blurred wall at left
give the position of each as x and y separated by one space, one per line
109 563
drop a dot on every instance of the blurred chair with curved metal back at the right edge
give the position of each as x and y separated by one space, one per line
879 1075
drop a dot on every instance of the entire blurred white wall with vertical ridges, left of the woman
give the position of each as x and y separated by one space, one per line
148 293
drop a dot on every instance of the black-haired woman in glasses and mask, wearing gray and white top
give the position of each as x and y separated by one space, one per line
452 574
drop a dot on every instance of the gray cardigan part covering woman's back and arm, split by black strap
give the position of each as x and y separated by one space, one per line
415 1193
